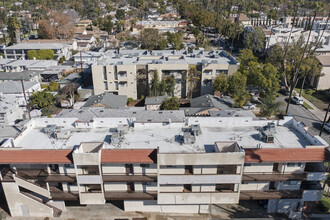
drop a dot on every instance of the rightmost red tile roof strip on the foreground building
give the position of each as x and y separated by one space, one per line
286 155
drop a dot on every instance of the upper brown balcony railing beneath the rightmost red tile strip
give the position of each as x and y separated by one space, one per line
273 176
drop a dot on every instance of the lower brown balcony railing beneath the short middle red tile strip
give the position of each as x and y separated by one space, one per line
124 195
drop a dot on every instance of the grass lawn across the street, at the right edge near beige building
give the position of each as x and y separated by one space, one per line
320 99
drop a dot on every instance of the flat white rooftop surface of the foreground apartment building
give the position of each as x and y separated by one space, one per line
168 139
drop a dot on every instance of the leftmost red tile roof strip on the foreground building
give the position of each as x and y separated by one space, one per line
35 156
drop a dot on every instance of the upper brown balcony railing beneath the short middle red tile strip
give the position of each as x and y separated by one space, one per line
129 178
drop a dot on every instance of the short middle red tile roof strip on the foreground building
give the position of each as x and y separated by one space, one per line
143 156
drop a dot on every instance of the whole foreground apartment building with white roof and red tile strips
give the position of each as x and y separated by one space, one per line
160 161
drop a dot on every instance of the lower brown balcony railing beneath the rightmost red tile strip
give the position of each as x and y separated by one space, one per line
270 194
